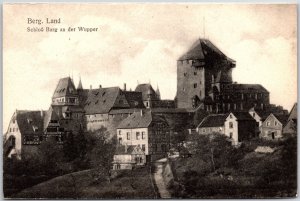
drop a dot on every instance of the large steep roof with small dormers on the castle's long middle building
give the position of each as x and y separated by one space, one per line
102 100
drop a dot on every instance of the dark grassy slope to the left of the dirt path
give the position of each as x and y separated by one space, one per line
127 184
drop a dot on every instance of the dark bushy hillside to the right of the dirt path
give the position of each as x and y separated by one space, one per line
244 173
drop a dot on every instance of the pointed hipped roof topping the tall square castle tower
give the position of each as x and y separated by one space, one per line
202 47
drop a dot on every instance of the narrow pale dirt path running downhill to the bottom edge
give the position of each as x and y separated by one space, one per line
158 178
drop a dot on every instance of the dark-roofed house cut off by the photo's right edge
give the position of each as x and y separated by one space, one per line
290 129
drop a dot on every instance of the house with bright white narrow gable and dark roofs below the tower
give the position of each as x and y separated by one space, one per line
237 126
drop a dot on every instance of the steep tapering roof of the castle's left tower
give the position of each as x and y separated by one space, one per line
65 87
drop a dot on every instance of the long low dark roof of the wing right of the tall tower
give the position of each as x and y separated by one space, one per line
242 88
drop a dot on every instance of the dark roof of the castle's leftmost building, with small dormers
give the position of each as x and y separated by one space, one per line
27 120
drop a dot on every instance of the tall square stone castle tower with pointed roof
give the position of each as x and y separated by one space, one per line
199 70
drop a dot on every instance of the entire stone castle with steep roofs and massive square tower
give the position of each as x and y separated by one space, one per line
204 86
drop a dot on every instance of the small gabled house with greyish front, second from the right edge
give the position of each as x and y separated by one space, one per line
272 126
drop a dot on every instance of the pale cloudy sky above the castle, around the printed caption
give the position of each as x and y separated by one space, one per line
140 43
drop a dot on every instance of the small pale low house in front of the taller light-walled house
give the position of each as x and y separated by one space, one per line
128 157
